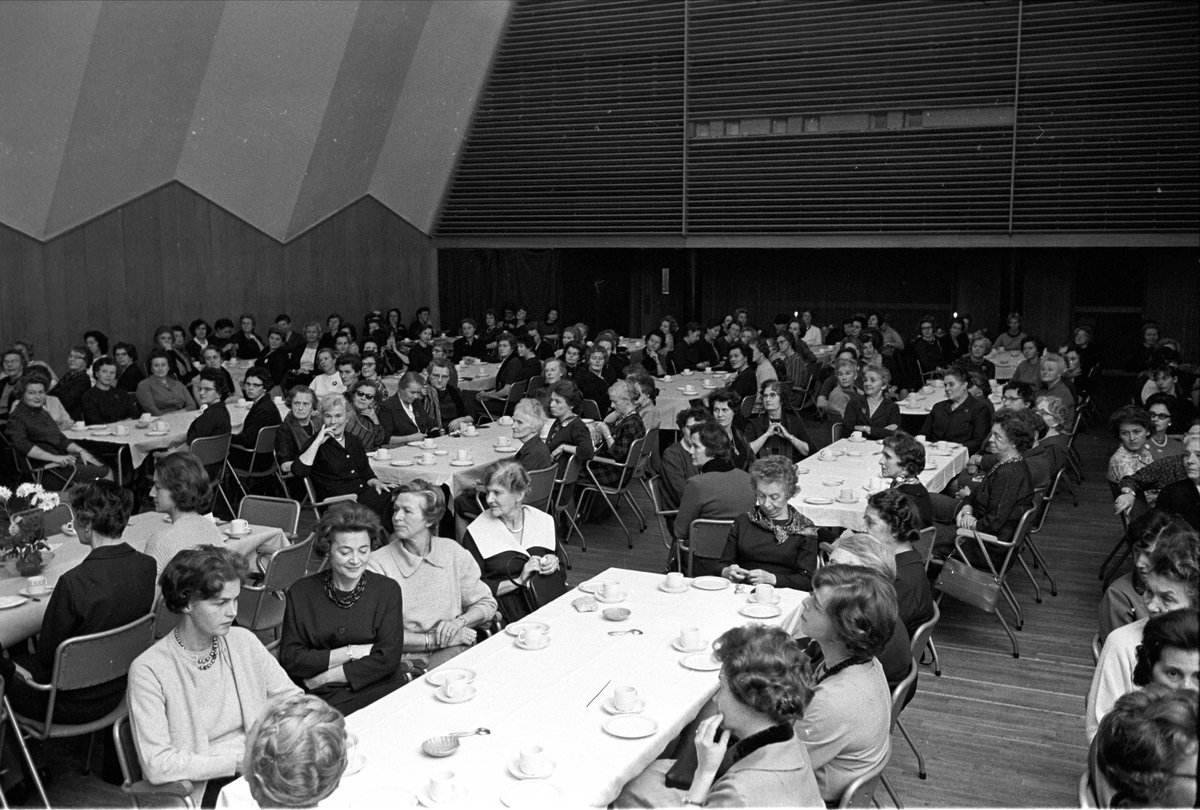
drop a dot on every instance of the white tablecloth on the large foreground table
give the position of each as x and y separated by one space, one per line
550 698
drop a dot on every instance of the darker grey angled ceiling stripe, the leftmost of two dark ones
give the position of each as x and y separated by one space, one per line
135 105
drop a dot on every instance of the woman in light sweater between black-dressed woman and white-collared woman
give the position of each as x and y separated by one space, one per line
441 580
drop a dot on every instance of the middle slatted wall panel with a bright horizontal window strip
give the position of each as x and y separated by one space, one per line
818 73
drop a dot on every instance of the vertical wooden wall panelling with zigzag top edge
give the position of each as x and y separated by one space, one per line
172 256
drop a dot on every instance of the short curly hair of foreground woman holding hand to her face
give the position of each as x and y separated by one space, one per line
766 670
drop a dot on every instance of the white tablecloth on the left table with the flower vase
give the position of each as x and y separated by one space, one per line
25 621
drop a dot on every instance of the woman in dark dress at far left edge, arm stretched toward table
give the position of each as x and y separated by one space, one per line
35 436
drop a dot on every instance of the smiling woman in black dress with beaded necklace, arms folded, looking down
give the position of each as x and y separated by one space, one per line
343 628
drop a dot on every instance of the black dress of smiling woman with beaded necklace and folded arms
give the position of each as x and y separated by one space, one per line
314 626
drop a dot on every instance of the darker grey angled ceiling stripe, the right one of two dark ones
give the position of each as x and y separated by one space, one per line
382 46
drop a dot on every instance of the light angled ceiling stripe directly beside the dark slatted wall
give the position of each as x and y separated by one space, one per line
436 106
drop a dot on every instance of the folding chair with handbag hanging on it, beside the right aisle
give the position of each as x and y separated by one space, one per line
983 589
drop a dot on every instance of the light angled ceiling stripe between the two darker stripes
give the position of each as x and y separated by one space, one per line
261 109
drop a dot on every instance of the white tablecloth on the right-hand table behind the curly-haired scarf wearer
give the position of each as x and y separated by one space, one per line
855 473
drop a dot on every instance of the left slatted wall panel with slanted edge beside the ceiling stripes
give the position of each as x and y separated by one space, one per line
580 129
